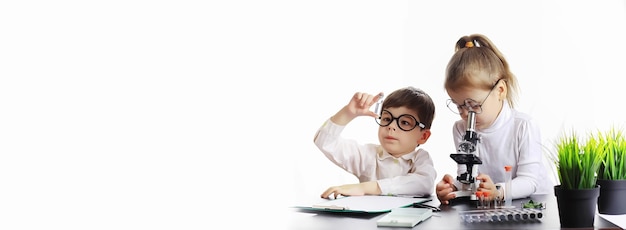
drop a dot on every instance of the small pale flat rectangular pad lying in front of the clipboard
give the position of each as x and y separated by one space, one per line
404 217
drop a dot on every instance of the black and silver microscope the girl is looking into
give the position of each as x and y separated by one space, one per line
466 155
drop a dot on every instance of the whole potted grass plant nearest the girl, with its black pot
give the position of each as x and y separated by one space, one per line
577 194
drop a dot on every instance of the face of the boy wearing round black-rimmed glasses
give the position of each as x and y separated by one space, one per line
397 141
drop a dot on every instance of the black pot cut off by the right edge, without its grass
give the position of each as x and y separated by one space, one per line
612 199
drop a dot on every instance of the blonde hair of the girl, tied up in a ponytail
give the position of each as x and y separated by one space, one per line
477 63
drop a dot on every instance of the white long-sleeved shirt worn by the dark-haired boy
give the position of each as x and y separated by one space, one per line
410 174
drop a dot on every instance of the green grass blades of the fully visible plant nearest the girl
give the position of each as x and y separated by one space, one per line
578 162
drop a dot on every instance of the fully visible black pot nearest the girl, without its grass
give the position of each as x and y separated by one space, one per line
577 207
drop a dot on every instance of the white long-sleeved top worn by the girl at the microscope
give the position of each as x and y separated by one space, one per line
513 139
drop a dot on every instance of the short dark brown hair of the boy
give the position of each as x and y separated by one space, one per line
414 99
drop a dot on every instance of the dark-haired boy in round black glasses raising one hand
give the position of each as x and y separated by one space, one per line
396 166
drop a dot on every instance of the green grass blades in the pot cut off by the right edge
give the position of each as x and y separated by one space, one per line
613 165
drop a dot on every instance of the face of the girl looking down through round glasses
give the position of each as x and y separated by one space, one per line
486 103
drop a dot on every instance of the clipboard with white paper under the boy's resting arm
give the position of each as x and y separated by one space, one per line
365 204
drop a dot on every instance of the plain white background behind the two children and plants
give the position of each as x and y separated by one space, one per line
154 114
